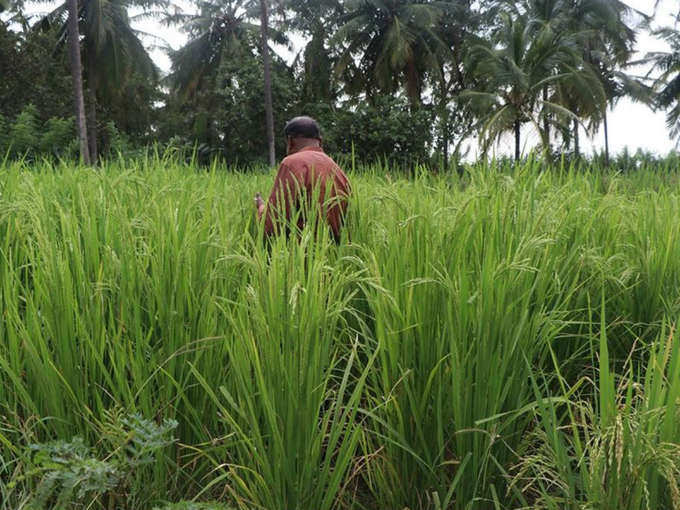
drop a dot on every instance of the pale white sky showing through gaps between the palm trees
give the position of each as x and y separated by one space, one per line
631 125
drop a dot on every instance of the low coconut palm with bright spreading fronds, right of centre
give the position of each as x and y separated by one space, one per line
516 66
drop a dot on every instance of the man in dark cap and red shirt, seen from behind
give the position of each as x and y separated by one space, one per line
307 175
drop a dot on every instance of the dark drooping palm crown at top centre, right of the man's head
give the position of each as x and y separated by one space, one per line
395 41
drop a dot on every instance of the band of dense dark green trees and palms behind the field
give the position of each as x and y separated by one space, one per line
405 80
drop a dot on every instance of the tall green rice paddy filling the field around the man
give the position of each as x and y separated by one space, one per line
501 340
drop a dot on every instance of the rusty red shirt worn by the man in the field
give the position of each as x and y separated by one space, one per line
303 175
